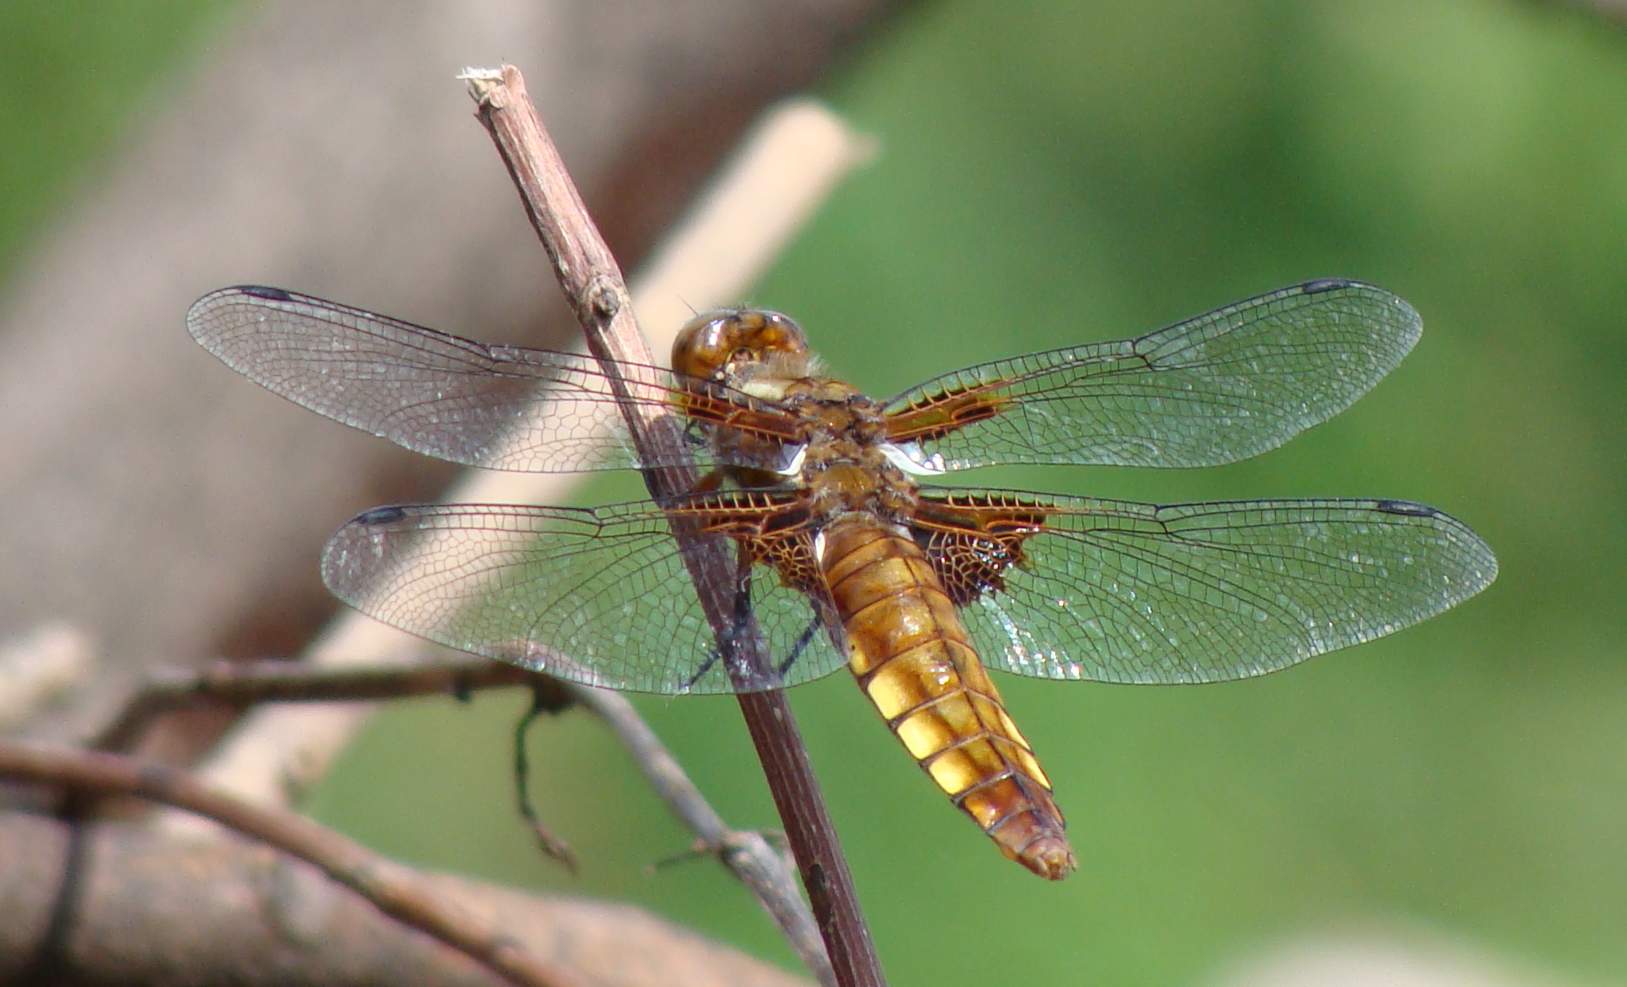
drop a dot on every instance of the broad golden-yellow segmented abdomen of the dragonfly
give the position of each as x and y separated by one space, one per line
912 658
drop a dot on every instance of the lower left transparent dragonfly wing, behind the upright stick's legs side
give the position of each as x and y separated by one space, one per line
595 596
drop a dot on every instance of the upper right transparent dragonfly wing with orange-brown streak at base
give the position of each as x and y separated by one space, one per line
1210 391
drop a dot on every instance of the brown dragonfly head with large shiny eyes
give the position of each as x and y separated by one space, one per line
735 346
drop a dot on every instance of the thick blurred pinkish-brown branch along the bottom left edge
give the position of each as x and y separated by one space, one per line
155 908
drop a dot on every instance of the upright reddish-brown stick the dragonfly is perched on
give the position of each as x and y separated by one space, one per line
593 284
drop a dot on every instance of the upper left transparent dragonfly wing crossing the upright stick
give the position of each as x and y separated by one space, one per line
497 407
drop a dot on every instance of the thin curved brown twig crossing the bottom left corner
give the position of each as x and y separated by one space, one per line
393 889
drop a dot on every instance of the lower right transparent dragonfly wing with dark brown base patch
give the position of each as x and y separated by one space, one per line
1112 591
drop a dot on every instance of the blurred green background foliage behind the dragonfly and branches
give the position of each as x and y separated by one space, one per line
1068 173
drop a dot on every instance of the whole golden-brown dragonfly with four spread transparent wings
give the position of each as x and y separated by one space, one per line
848 547
